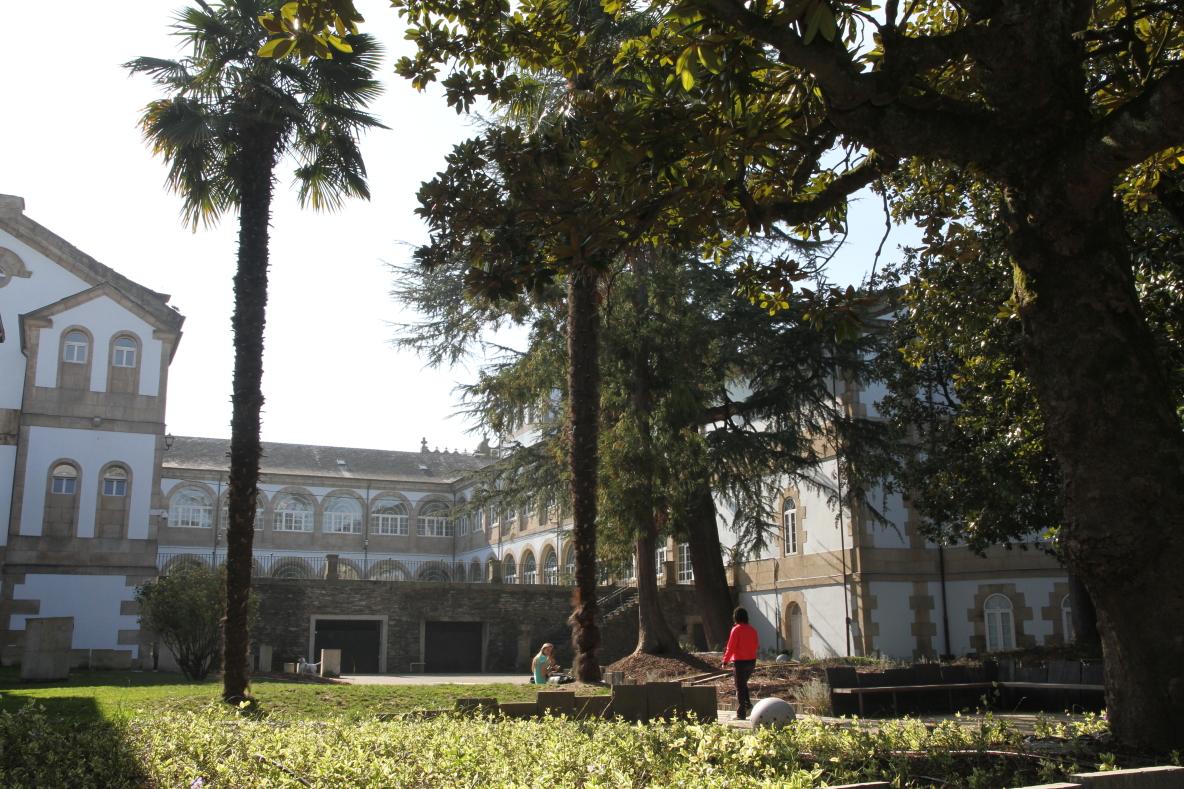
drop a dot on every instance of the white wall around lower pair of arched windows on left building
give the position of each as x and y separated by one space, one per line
92 450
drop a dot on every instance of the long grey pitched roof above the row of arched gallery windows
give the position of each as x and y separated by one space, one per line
308 460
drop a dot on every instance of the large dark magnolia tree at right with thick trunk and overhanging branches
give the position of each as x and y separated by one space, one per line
1067 107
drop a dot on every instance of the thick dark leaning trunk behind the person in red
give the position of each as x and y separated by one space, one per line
712 591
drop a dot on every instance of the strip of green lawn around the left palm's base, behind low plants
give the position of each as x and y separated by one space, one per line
92 696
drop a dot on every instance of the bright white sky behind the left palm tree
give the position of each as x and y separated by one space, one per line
70 146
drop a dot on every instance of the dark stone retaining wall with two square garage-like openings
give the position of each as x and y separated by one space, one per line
518 619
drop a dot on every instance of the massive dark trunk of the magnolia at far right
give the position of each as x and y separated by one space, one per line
1111 422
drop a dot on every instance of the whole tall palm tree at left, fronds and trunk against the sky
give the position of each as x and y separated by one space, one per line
228 121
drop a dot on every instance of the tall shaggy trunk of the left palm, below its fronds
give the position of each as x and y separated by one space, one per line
250 305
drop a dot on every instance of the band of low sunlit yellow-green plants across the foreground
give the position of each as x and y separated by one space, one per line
215 747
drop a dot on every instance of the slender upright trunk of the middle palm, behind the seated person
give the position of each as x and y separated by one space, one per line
584 396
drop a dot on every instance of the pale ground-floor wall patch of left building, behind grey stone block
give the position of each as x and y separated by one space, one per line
93 601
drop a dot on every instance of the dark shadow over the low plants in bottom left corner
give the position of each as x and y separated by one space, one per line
65 742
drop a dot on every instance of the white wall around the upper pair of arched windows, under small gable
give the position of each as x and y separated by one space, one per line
104 318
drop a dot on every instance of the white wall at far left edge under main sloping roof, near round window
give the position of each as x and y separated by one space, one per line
49 284
